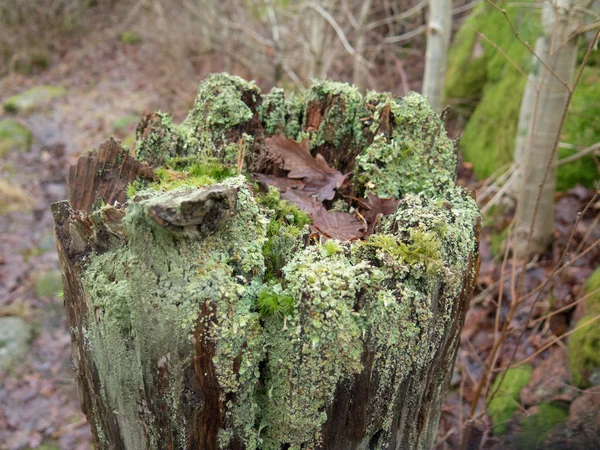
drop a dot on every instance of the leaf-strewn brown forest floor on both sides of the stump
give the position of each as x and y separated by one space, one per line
109 85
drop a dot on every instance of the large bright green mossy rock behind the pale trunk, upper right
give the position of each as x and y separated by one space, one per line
488 89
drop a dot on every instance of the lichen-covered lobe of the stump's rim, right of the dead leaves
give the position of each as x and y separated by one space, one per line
419 156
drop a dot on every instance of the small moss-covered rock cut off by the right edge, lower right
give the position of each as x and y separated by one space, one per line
584 344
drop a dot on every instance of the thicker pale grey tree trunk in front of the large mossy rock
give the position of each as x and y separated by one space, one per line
535 211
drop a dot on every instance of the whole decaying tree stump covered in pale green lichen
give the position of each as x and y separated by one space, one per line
206 312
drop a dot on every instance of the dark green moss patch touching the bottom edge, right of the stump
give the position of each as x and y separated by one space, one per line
535 428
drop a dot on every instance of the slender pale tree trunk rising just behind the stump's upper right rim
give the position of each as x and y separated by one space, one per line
436 56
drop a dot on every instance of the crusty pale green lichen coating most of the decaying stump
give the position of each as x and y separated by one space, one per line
290 322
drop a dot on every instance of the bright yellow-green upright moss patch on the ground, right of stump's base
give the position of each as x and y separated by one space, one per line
506 401
